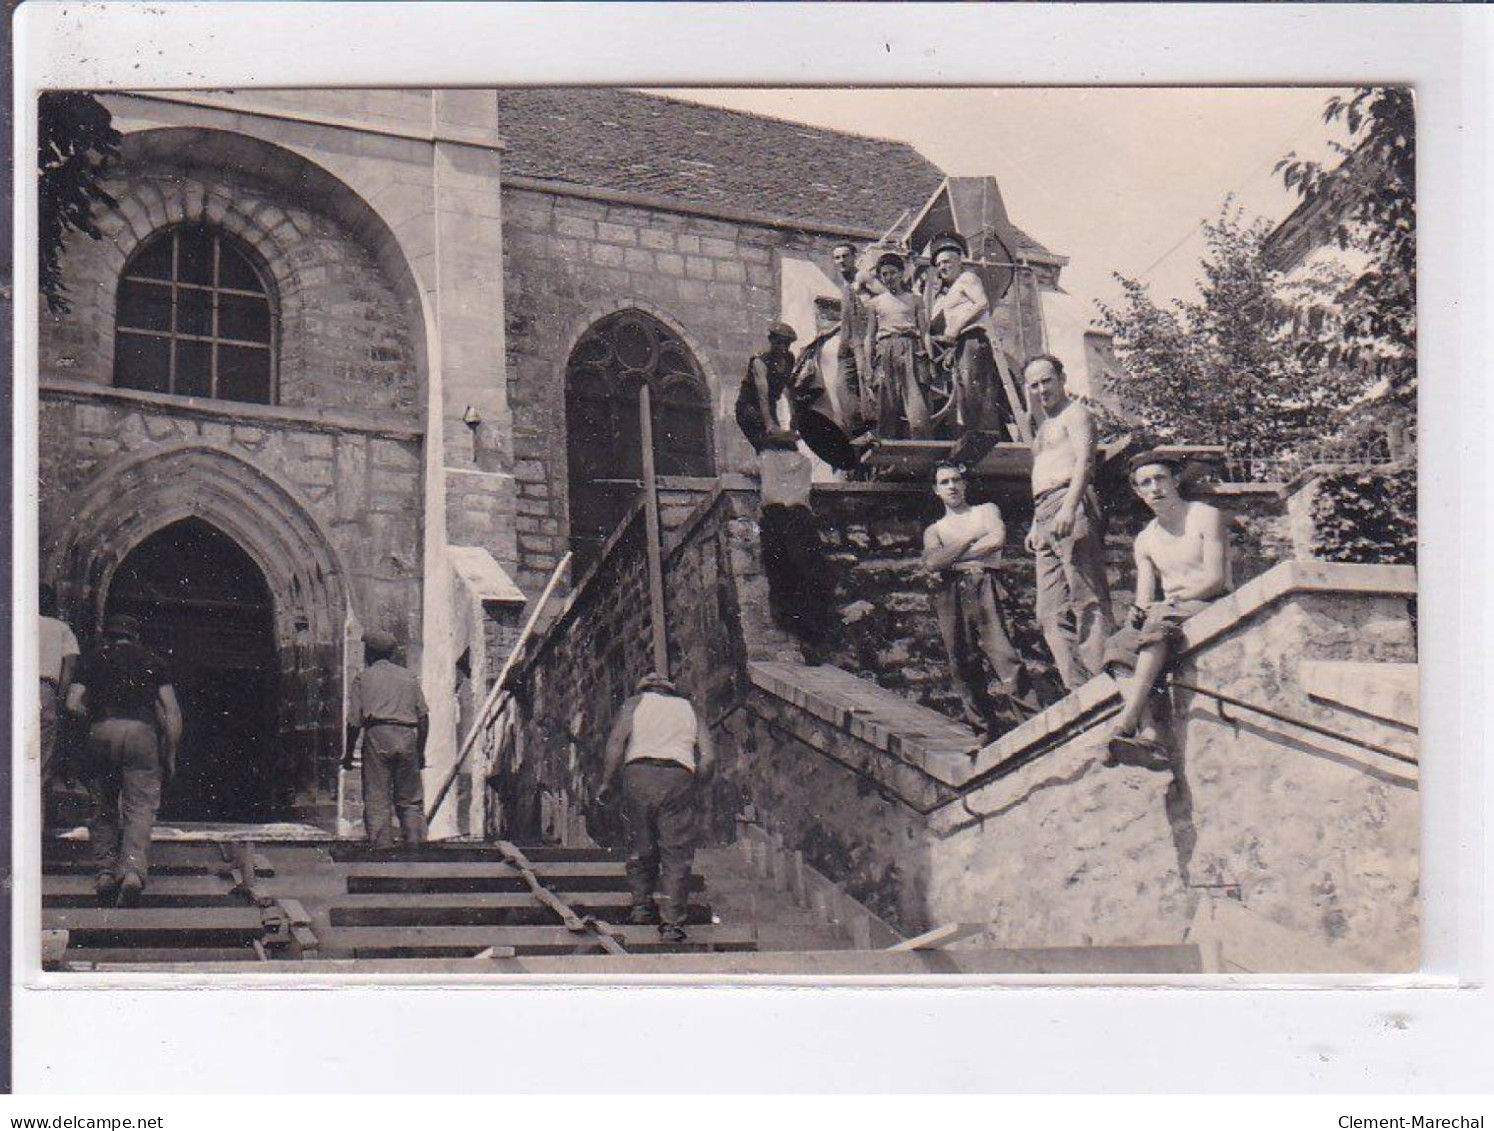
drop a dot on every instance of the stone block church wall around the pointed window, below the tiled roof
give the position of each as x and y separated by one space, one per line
570 262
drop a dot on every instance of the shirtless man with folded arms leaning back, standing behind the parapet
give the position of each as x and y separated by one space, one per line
964 551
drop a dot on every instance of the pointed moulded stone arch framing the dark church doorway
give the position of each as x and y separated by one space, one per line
137 500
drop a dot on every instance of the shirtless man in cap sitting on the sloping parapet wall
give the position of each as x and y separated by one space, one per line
1185 548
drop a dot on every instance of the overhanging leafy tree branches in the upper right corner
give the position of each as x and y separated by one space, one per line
1372 199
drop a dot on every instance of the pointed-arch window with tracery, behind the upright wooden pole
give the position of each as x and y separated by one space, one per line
612 362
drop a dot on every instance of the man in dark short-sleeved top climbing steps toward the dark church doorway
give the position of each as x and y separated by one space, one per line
135 728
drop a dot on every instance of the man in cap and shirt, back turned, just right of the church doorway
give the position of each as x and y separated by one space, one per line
388 707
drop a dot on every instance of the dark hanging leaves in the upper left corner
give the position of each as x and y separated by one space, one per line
75 144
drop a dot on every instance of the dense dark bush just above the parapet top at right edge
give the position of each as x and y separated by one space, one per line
1366 516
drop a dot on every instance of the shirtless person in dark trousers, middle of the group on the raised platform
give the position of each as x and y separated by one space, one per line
899 361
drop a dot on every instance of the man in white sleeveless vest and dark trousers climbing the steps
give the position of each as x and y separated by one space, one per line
666 757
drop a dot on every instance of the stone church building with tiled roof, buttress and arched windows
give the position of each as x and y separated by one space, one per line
371 359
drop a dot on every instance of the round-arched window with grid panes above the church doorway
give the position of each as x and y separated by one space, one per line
195 319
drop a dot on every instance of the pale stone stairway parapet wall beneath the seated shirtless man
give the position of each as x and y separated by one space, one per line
1295 852
